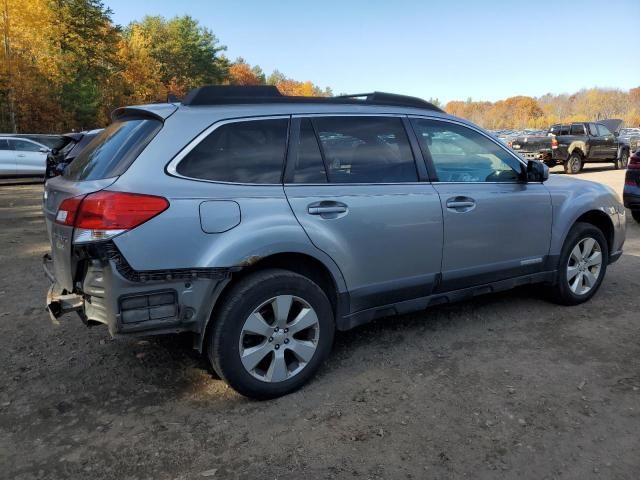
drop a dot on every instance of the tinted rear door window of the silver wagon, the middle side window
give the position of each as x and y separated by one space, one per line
365 149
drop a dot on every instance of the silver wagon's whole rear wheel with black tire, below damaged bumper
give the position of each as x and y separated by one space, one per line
273 331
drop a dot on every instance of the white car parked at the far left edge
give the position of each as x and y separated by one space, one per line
22 157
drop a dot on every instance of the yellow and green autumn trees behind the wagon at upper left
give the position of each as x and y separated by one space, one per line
65 65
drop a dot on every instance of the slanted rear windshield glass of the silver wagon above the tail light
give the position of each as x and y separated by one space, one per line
113 150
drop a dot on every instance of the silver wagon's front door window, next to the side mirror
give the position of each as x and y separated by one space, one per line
461 154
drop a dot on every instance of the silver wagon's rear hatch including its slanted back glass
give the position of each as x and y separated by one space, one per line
107 156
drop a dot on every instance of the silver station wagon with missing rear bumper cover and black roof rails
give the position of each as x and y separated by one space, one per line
263 223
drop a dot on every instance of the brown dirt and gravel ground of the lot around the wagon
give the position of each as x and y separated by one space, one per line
506 386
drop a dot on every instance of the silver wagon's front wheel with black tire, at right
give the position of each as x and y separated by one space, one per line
583 264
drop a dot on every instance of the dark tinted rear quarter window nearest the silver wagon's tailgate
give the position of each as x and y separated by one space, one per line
249 151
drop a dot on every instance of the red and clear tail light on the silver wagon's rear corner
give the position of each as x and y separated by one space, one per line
104 214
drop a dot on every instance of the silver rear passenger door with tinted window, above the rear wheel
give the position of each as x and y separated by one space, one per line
354 186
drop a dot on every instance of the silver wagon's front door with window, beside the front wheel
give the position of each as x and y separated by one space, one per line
496 226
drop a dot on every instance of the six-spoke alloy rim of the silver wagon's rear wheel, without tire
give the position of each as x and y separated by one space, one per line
279 338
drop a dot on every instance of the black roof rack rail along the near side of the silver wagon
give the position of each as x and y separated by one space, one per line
235 94
